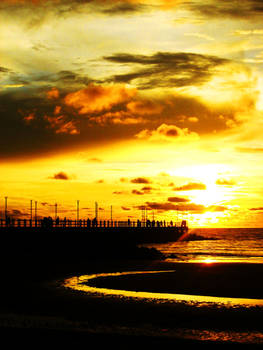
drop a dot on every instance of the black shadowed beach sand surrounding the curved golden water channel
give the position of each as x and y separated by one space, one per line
35 309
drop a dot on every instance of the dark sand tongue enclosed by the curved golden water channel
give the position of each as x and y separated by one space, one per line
236 280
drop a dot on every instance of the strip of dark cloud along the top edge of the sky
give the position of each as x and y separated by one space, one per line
41 9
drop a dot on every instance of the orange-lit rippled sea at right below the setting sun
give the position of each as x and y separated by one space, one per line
216 244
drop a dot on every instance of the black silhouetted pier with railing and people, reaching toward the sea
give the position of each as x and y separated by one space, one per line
64 235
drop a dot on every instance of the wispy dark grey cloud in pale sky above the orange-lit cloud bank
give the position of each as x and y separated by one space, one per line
167 69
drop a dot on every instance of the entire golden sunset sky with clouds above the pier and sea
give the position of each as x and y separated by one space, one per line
131 103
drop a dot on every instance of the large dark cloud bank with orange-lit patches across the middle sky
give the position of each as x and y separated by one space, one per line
42 121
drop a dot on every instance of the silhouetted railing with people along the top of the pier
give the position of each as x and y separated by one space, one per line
85 223
